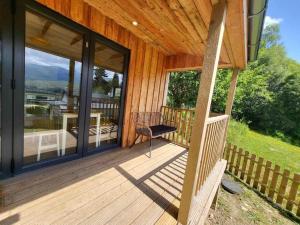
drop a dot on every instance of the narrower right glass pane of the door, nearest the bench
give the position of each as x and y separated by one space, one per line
107 84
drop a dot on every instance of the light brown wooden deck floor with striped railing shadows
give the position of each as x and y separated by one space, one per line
116 187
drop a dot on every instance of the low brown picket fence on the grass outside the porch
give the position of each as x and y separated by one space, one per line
278 185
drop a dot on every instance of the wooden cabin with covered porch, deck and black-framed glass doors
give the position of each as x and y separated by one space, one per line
72 74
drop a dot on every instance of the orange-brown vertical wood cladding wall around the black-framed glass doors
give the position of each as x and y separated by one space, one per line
146 75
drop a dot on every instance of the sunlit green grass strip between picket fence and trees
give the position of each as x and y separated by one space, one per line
287 156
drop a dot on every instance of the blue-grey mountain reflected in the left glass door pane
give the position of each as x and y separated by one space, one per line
47 73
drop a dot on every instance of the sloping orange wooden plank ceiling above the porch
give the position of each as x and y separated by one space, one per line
180 27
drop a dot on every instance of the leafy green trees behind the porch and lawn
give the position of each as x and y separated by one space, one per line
267 95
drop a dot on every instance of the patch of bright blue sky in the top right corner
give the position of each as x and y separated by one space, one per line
287 14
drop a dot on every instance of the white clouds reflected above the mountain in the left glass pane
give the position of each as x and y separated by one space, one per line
45 59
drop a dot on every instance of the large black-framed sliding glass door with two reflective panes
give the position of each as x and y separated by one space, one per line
69 89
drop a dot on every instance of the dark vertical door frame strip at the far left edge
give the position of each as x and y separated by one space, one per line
6 51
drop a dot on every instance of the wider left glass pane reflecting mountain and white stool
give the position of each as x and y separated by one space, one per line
53 64
